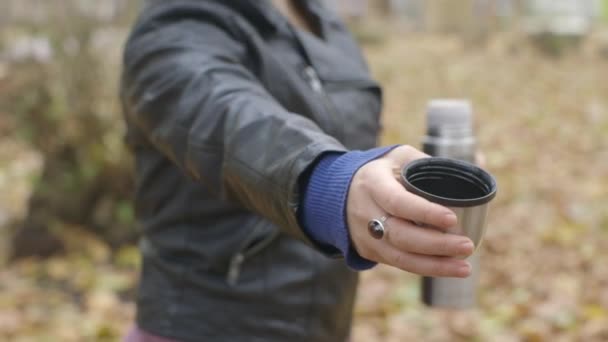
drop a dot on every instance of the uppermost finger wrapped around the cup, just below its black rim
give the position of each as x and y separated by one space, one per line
395 200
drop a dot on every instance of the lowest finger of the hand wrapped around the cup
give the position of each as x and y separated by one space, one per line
430 266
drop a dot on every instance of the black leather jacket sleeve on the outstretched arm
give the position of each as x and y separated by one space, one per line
187 87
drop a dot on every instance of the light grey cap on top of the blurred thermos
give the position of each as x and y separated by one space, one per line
449 112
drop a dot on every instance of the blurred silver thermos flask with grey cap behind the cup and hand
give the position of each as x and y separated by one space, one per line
450 135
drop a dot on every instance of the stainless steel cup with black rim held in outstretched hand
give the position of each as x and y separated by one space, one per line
461 186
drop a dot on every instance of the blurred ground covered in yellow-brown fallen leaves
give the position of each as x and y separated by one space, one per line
543 125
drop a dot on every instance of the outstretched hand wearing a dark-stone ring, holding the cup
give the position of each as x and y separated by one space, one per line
376 191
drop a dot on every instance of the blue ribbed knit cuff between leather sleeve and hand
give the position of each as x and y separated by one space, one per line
323 206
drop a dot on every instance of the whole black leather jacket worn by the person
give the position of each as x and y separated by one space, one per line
227 108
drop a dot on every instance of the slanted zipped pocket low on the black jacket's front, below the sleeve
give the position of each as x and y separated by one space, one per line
261 236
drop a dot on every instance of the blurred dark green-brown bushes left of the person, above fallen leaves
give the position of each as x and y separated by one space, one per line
61 68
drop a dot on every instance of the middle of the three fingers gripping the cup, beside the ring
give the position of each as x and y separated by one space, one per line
406 236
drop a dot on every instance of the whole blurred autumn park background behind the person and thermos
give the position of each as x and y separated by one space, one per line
535 72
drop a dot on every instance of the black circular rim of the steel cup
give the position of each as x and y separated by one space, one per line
470 170
